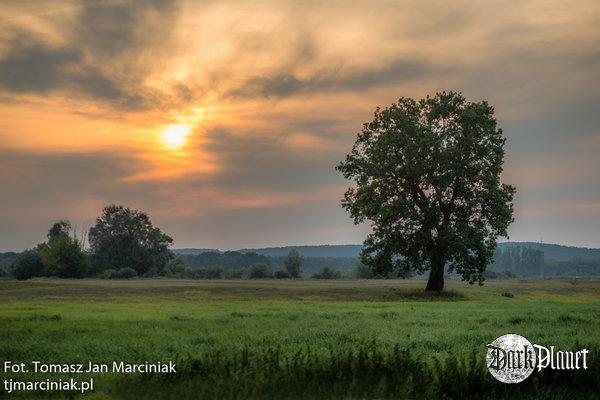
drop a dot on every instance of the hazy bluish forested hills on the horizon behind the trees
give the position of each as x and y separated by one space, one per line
511 259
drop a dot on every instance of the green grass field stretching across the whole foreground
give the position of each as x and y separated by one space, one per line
300 339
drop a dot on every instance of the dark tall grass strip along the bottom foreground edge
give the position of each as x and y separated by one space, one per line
366 372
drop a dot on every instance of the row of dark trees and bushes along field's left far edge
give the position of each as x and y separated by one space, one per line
124 244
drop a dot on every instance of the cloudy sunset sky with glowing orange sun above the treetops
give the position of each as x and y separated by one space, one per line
224 120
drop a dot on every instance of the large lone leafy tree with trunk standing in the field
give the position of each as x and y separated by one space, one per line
427 176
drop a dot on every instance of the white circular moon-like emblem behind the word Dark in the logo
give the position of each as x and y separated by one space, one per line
511 358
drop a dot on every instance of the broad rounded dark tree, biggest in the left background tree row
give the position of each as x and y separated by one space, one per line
123 237
